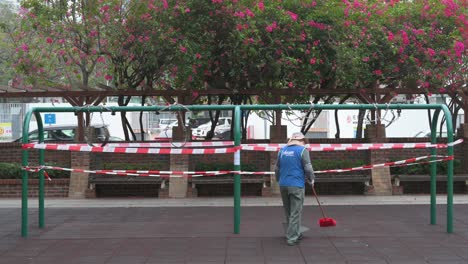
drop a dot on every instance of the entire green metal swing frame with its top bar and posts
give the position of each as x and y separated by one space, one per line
237 140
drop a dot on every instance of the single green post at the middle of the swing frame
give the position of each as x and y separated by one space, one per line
237 167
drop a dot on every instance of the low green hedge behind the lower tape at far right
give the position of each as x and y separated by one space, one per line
424 169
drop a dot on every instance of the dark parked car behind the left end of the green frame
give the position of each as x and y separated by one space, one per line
67 133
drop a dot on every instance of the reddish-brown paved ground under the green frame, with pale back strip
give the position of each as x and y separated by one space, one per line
133 231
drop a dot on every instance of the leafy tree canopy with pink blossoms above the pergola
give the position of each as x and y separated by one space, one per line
242 45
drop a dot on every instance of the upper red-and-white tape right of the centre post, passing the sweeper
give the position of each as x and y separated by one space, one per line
340 147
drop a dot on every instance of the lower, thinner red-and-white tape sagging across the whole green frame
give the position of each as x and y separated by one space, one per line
167 174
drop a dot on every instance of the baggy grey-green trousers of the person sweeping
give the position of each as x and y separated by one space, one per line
293 200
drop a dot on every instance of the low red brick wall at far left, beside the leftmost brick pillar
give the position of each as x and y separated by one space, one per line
55 188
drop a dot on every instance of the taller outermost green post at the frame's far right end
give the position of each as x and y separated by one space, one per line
450 152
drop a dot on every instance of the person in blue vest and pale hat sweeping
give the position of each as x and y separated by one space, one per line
293 170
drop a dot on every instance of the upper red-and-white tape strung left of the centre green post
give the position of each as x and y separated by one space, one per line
87 148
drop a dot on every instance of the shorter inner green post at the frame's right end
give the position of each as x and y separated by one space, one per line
433 169
